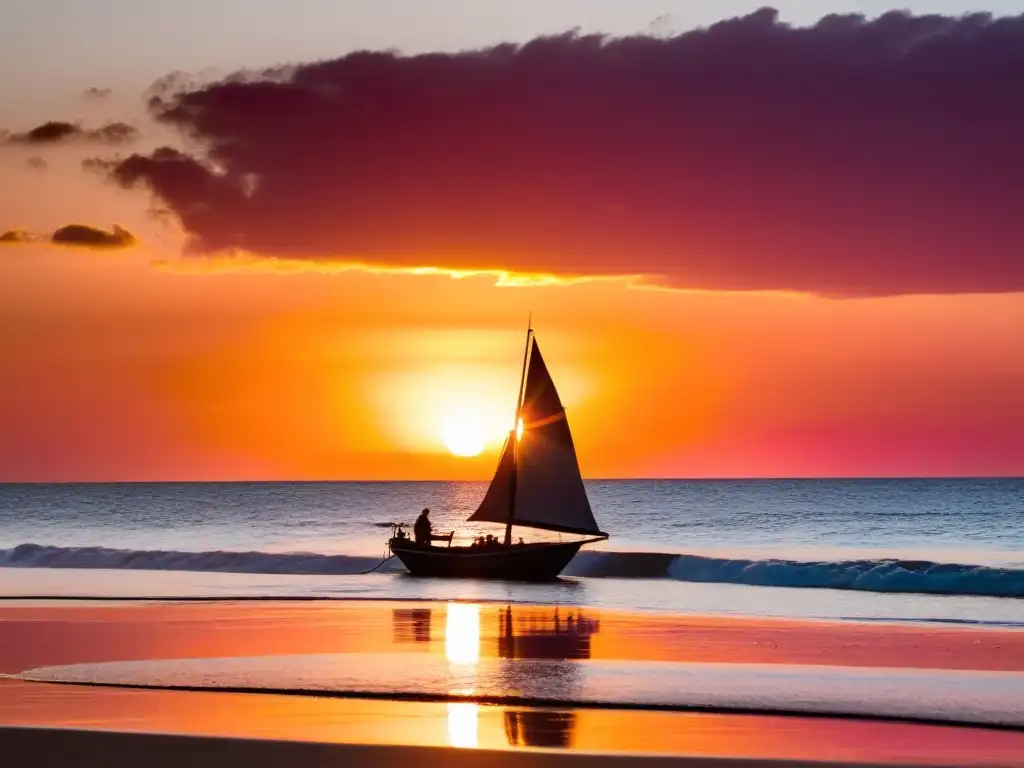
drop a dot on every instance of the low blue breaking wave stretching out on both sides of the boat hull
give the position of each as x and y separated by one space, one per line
895 576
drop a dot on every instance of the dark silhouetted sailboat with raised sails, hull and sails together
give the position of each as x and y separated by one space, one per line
538 485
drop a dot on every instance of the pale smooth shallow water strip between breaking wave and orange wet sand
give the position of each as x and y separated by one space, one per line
665 596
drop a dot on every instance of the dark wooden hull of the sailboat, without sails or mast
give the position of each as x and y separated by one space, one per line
529 563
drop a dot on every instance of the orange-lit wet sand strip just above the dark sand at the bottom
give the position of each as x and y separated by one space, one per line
138 723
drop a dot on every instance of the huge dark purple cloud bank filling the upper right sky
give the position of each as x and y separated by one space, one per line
855 157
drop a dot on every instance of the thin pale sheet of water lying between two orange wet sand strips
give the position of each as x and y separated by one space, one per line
957 697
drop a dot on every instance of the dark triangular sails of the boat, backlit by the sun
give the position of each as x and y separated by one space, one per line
541 473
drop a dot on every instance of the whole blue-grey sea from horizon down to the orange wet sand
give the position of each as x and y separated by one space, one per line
909 550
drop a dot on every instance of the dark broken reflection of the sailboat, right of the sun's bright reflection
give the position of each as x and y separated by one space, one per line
550 637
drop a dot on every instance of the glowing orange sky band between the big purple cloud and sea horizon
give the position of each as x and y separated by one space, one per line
119 369
